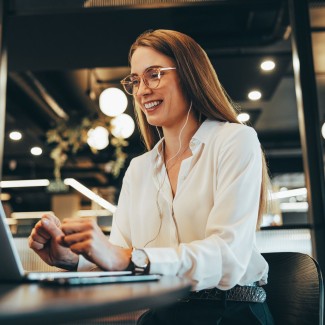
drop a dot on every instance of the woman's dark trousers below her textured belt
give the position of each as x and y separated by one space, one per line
209 312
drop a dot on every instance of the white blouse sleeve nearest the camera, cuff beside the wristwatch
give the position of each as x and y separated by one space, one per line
222 258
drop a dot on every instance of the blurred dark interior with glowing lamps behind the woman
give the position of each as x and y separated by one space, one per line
64 54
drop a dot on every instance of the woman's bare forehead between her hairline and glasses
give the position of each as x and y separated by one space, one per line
145 57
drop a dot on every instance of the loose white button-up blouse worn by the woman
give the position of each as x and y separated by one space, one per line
207 231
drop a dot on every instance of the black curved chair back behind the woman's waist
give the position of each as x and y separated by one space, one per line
295 293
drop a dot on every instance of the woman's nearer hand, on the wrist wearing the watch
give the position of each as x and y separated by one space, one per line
83 236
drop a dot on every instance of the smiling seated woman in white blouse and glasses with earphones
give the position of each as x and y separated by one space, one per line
191 204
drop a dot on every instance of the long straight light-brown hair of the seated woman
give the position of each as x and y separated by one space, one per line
200 85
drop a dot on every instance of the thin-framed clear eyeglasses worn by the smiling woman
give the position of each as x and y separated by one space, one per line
151 78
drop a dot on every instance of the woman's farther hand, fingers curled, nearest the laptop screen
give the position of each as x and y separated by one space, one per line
45 241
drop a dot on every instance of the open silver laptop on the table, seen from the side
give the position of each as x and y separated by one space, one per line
12 269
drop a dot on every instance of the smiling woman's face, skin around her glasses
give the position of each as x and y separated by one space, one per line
165 105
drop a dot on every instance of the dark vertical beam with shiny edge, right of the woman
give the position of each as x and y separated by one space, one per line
309 123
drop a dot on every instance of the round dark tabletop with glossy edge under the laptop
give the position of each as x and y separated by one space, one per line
38 304
